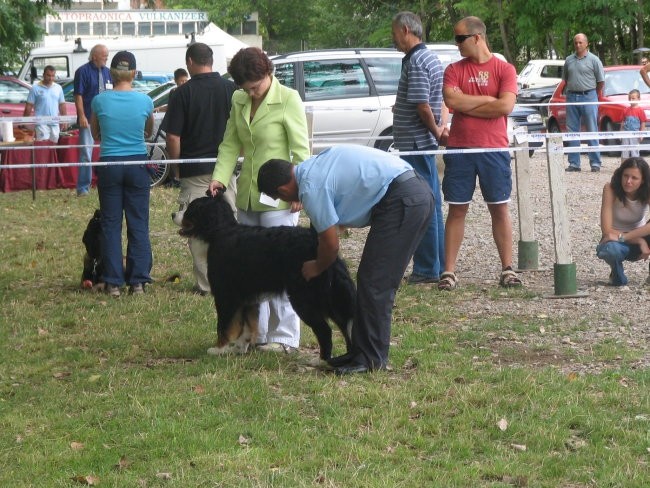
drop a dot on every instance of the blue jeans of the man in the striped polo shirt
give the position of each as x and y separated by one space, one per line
429 257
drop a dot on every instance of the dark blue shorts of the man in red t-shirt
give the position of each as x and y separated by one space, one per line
493 172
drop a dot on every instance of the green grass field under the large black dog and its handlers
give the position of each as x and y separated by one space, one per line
120 392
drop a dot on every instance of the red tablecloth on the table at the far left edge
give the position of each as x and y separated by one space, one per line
21 179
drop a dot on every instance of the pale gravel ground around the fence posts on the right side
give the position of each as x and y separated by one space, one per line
615 317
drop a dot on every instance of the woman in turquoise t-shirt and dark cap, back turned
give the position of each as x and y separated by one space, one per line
121 120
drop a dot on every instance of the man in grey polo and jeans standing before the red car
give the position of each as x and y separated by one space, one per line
585 79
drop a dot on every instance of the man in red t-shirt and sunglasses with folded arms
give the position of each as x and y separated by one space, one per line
481 90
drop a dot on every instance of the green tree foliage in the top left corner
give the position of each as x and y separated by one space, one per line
18 29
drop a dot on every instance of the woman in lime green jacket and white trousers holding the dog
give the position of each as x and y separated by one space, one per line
267 121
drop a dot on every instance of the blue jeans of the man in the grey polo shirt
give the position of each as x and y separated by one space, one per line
587 114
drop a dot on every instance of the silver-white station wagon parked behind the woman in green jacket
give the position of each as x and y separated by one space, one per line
350 93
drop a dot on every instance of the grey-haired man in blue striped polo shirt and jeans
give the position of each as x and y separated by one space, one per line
419 123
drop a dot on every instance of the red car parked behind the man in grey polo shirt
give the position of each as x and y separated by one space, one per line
619 80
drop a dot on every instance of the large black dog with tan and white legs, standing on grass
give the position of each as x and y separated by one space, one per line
247 262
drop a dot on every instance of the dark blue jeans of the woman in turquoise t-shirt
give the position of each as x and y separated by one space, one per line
124 191
